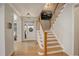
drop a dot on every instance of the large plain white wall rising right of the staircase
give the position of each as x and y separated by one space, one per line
64 29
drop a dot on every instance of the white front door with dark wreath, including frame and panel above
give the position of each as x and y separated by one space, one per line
29 29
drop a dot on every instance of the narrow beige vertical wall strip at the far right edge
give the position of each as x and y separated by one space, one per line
76 30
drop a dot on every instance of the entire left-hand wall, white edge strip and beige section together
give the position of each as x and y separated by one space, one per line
6 34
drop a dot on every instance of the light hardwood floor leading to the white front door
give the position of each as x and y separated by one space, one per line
29 48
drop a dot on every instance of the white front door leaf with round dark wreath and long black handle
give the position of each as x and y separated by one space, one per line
28 32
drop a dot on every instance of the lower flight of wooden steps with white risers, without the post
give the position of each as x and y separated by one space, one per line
53 46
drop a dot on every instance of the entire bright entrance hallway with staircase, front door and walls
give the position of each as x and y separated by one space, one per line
53 31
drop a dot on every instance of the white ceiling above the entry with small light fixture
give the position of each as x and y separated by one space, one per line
29 9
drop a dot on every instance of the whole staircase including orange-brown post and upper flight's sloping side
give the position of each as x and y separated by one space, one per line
52 47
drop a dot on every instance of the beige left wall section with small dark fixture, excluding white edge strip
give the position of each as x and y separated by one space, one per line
8 32
